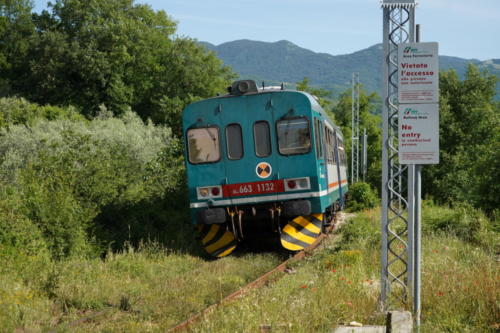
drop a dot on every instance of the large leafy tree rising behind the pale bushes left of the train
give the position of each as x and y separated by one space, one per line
120 54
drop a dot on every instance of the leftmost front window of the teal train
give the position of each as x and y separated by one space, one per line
203 145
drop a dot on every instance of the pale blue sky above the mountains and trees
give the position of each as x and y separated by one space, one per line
463 28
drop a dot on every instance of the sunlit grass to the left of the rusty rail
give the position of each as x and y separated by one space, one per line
145 290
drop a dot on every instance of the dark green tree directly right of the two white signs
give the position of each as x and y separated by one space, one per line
469 142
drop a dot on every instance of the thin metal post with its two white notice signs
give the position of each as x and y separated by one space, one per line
418 139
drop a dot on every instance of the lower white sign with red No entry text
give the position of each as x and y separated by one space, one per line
418 134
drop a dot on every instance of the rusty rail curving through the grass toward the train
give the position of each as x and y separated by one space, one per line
263 279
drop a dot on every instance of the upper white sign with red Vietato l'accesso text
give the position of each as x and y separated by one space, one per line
418 73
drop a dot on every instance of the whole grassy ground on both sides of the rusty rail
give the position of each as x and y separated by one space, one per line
151 289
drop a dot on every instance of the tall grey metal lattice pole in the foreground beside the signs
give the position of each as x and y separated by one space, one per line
398 27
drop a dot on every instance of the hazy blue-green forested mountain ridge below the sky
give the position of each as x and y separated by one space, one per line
284 61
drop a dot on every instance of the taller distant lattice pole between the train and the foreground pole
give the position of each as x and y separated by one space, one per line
355 128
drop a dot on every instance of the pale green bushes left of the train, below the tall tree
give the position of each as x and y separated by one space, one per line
76 187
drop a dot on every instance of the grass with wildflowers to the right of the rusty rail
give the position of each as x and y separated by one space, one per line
340 283
